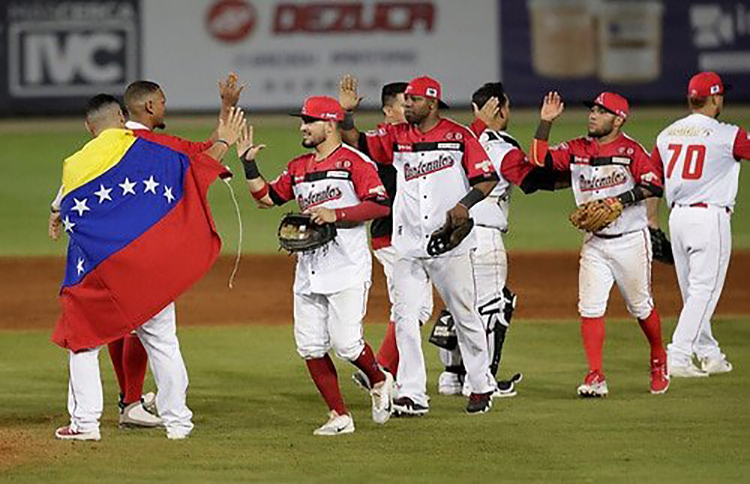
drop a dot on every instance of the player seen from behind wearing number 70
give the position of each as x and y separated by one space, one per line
698 158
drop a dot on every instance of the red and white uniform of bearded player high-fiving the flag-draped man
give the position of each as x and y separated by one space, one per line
331 284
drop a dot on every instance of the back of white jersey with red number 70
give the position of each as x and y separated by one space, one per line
698 161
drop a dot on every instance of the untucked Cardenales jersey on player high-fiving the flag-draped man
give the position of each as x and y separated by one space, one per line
344 179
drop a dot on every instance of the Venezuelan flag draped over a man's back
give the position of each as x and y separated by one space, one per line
140 234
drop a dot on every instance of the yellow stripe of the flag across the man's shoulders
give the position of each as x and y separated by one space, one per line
96 157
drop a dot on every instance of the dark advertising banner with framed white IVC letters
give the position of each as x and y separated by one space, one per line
56 54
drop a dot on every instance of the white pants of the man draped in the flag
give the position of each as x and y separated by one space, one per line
159 337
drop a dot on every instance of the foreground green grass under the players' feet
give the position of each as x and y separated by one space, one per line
255 410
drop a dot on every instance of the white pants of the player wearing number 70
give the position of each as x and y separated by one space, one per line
702 246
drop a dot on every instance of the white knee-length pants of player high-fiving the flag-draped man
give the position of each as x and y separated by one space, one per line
325 321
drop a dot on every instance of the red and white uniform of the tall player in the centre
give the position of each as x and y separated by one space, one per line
434 171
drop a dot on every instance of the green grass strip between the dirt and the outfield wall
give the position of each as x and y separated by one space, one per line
30 165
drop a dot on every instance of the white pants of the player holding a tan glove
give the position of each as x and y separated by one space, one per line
624 260
